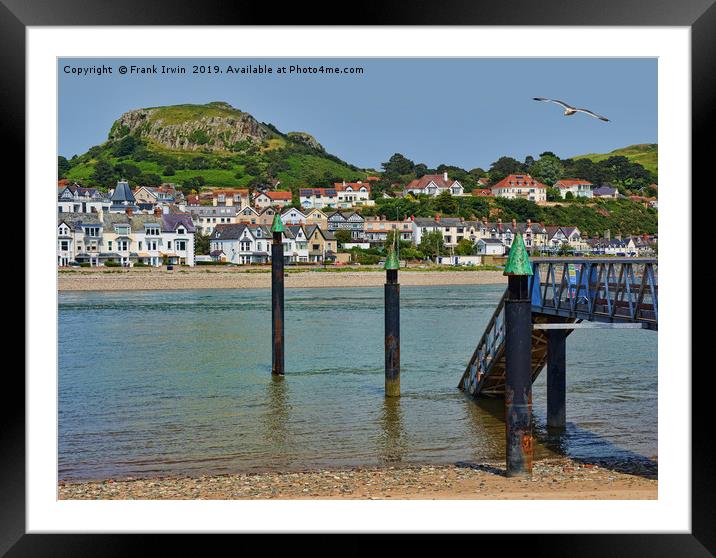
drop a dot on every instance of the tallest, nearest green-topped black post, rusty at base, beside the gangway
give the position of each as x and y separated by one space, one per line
518 361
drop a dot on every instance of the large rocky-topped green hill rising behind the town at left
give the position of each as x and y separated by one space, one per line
205 145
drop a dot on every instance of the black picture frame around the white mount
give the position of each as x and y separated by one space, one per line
699 15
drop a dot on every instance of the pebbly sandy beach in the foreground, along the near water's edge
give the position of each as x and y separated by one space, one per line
551 479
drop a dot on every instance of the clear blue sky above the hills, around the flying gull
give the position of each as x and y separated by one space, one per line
464 111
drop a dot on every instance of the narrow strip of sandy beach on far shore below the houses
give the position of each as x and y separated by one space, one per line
212 278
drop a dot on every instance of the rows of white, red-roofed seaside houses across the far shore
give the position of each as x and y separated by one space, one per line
154 226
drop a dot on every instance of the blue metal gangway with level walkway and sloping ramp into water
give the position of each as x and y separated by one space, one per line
567 293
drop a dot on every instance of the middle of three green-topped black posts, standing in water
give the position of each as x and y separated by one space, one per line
392 325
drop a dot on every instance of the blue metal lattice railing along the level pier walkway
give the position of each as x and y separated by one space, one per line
597 289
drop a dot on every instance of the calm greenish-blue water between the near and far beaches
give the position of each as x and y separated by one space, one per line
179 383
